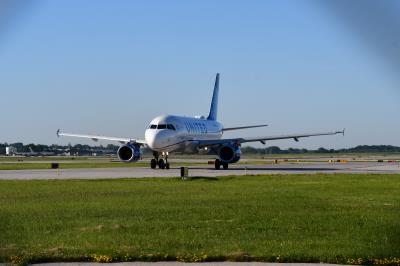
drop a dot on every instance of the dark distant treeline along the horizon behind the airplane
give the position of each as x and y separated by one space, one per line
110 148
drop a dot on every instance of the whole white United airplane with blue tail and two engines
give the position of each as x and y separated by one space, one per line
189 135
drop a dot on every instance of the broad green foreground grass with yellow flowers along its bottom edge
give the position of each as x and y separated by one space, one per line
284 218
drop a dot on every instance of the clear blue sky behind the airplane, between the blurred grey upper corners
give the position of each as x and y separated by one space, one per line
109 67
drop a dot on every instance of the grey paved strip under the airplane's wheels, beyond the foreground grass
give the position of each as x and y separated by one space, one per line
203 171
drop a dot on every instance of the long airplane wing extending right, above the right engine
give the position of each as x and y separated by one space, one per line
296 137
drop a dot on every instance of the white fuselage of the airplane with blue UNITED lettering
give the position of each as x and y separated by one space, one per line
179 134
